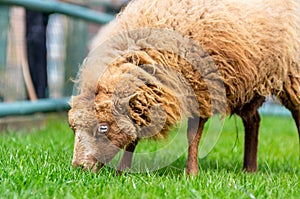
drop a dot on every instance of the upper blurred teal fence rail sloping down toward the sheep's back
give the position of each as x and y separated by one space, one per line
49 6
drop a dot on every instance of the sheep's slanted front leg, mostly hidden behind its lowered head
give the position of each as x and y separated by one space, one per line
126 160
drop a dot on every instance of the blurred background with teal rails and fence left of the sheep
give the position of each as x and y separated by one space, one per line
42 44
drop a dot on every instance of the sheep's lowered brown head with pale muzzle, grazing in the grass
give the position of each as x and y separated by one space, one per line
97 136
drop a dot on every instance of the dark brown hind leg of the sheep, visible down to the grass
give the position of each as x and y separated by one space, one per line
251 121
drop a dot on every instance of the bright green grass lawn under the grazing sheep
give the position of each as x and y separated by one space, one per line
38 165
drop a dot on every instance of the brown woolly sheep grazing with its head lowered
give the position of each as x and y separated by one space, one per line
151 73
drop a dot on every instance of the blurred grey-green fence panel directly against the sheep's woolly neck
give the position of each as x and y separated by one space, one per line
76 51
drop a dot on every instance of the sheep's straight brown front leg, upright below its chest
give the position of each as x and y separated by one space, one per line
194 132
